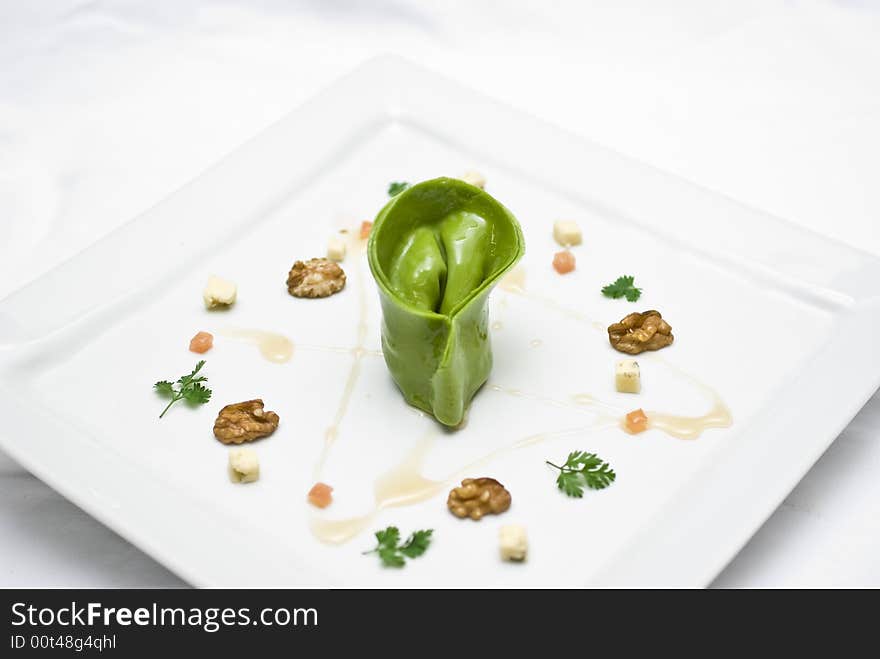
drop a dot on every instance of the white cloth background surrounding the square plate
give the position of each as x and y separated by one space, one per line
107 107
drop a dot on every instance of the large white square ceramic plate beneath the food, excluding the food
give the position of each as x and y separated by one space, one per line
778 321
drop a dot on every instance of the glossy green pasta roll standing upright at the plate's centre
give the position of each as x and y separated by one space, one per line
436 251
